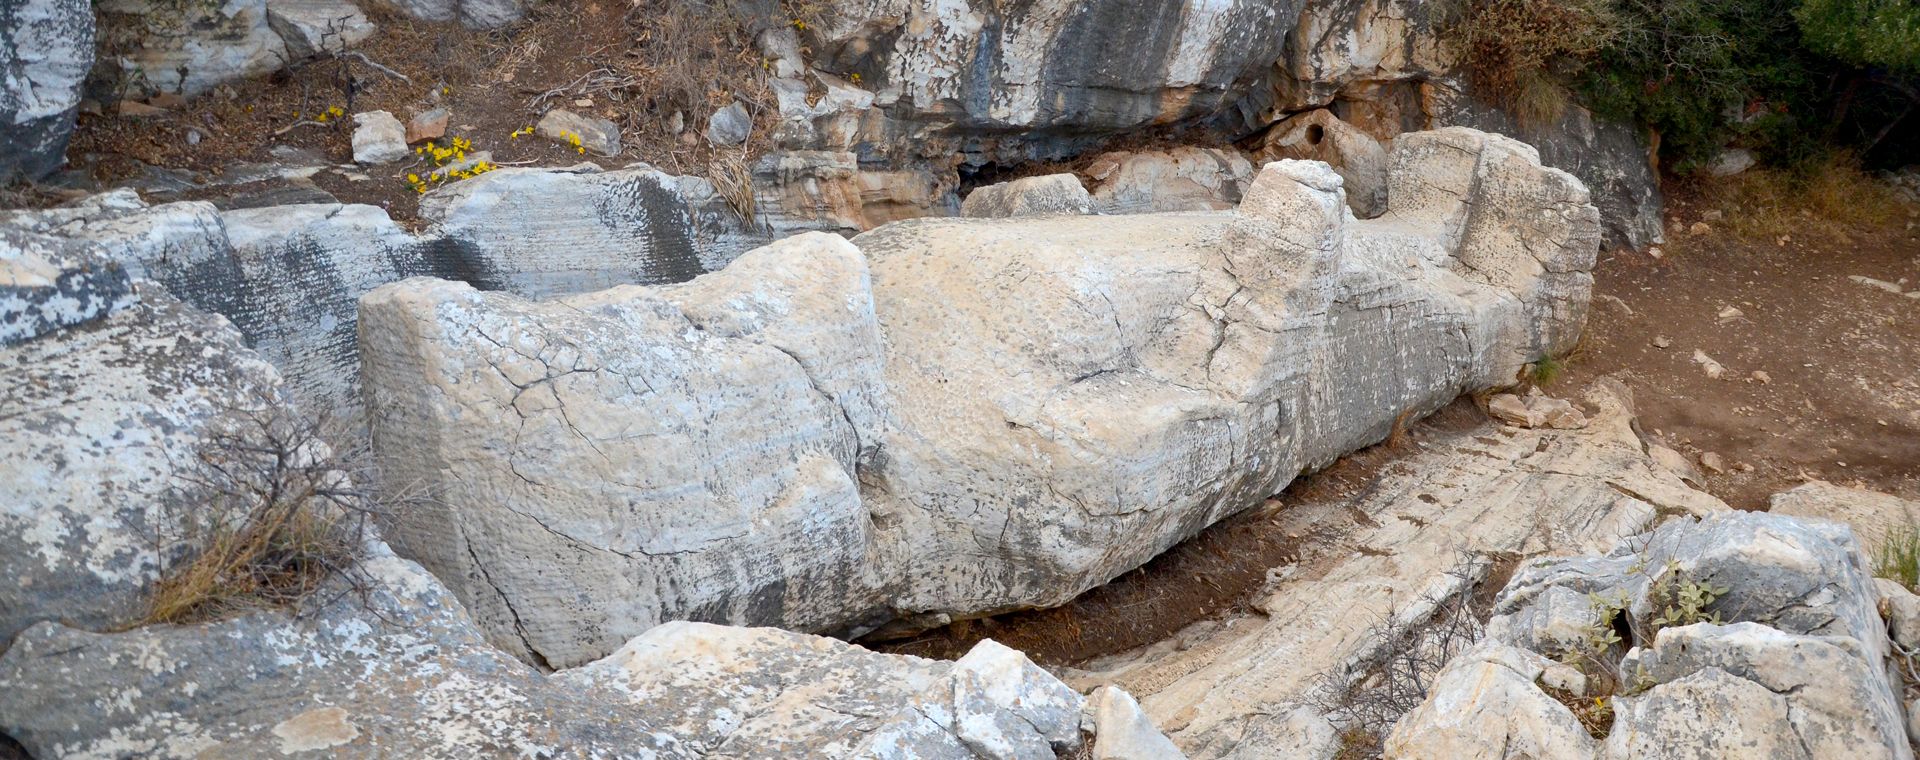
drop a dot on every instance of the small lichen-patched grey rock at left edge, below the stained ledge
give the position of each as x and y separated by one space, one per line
53 283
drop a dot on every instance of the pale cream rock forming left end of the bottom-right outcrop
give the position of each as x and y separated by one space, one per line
1487 707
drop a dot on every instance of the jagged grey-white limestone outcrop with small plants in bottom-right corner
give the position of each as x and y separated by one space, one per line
1787 655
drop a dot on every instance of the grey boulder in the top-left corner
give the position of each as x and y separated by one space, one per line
47 47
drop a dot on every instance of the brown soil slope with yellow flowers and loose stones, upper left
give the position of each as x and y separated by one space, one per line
494 83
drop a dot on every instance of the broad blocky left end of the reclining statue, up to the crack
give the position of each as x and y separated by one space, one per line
721 416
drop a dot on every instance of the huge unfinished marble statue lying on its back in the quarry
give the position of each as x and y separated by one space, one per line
951 417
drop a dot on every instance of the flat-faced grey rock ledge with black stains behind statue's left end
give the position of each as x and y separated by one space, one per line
291 275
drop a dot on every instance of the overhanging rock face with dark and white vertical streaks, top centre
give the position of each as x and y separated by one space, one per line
1015 82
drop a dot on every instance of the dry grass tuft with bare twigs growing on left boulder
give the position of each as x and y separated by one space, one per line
266 517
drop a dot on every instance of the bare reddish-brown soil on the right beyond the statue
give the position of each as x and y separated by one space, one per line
1842 400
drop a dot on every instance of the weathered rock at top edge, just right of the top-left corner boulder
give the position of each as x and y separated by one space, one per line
189 49
